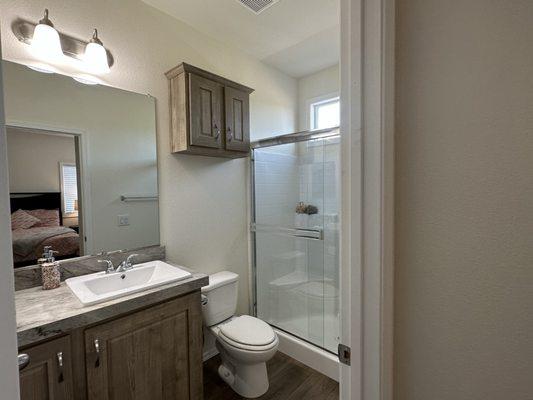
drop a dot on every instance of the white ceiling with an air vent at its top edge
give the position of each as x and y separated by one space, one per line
299 37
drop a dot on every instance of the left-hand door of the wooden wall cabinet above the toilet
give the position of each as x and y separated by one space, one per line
205 97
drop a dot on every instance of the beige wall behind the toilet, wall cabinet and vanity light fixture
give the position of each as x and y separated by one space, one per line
203 212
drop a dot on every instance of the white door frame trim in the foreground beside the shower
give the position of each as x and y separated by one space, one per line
367 159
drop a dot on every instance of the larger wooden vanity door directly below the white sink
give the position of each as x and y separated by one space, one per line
153 354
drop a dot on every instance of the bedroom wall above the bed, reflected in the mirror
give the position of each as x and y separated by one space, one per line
34 160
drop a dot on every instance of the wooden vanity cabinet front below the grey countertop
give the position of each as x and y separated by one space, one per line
152 354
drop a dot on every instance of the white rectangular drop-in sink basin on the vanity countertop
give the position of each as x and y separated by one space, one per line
100 287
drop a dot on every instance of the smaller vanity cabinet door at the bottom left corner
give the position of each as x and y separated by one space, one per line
49 372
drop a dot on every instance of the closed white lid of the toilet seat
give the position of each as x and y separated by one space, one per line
249 331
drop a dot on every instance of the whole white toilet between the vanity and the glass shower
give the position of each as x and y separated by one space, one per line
245 343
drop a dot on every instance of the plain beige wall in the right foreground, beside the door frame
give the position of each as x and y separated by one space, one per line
464 200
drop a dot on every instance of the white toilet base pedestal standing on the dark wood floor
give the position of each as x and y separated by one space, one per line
248 380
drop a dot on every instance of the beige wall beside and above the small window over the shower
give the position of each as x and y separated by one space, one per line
313 88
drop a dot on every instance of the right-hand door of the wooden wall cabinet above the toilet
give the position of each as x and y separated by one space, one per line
237 106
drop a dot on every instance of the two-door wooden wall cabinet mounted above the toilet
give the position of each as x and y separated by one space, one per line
209 115
